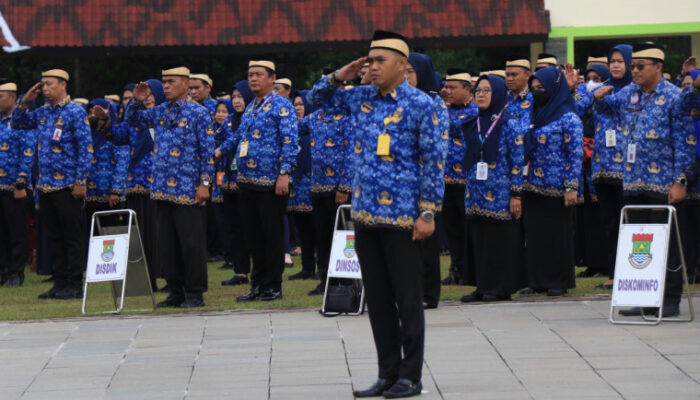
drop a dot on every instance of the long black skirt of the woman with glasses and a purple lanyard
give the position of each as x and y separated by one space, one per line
497 262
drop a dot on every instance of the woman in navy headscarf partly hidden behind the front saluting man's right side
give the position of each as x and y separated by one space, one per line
421 74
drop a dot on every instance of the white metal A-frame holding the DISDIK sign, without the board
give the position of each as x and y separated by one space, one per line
135 268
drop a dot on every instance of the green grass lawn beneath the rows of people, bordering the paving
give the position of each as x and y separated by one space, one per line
22 303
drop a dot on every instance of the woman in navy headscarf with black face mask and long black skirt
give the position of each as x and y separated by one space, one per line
554 152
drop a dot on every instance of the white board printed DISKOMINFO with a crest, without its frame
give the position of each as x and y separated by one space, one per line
640 266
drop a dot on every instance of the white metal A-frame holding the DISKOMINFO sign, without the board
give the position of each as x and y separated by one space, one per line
670 223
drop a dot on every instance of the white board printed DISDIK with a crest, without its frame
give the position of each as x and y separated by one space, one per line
107 258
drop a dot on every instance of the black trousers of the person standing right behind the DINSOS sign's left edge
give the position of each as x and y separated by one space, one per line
324 217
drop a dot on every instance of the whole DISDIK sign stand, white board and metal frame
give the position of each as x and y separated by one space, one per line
116 255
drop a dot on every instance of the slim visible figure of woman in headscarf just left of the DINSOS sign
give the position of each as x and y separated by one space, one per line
299 205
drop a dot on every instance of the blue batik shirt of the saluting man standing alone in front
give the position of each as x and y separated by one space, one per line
391 190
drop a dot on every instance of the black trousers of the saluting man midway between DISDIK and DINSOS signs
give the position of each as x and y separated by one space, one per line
263 214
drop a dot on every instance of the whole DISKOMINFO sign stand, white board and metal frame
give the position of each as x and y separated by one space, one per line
640 266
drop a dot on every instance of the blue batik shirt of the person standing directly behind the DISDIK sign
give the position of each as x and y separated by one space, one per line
108 171
